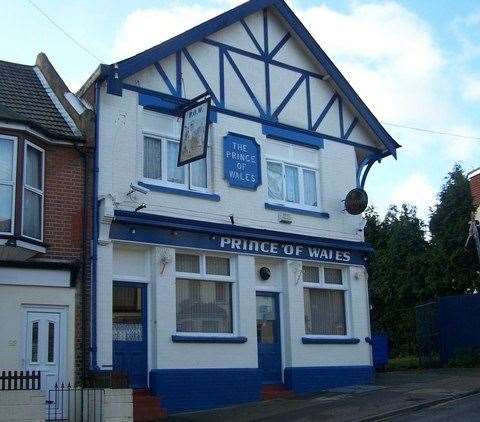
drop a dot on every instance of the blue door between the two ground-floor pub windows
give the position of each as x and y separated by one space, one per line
268 338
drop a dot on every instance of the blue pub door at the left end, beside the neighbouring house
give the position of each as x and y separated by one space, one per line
130 332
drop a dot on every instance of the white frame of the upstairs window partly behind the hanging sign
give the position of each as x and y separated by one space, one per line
187 185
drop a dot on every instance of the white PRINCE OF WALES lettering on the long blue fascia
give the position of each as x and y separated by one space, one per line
283 249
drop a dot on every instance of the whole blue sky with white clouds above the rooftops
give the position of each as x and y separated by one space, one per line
415 63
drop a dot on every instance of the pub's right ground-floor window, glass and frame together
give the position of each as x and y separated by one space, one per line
325 297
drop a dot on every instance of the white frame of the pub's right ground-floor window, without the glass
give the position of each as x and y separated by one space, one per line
321 285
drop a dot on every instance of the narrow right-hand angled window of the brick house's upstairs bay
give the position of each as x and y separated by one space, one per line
33 192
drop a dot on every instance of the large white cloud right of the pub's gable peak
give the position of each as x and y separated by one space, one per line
388 54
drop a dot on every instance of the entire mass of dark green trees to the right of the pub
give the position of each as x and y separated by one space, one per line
407 269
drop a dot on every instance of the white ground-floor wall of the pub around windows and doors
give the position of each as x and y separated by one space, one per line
285 279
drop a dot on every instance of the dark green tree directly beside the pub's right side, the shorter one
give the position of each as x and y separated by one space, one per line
397 277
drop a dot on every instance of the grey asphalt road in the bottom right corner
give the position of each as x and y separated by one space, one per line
460 410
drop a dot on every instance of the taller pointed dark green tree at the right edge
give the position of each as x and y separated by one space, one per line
452 269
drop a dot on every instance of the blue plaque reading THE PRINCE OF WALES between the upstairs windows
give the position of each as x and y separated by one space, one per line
241 161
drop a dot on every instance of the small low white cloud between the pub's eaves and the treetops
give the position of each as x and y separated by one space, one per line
415 190
